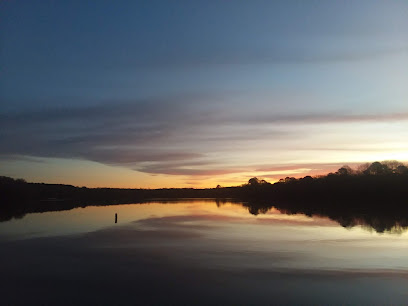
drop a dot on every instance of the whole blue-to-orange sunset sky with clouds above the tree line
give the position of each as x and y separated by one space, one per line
151 94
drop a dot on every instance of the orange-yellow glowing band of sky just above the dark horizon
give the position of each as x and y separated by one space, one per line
91 174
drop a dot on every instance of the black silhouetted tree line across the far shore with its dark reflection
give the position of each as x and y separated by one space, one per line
379 187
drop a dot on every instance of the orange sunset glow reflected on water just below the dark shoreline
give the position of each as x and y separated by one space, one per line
91 218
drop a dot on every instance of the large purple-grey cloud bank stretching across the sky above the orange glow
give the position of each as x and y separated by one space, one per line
177 136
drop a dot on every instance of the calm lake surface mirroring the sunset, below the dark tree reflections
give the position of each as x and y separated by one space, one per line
197 253
